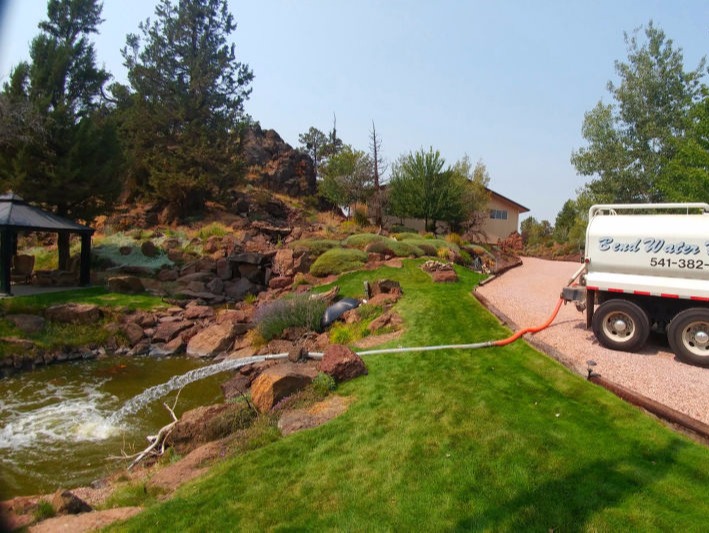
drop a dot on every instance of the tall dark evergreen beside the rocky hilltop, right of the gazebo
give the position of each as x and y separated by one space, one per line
183 116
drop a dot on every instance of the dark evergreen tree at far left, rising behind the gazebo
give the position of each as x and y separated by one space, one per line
61 149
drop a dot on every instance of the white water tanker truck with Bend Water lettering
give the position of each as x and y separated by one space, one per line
647 269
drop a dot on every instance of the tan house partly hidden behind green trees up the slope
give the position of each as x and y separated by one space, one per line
501 218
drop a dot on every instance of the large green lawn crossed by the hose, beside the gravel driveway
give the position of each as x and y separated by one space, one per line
497 439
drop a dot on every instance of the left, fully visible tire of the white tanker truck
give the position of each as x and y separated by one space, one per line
621 325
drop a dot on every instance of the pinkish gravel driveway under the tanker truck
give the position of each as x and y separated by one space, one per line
526 296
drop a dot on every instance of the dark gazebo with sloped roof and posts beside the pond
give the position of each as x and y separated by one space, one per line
17 215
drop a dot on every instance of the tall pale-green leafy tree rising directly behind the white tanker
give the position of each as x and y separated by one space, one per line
631 141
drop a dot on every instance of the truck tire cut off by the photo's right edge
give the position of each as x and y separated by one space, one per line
688 335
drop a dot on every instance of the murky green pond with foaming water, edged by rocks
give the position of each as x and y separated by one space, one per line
60 424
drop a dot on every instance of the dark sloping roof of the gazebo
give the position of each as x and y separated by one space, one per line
17 214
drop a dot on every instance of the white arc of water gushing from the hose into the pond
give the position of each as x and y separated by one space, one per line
177 382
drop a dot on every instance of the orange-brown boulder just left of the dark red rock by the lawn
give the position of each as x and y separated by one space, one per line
277 382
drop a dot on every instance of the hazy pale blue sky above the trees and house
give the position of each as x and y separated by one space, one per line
504 82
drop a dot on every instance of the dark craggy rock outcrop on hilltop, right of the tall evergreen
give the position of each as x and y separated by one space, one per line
274 164
